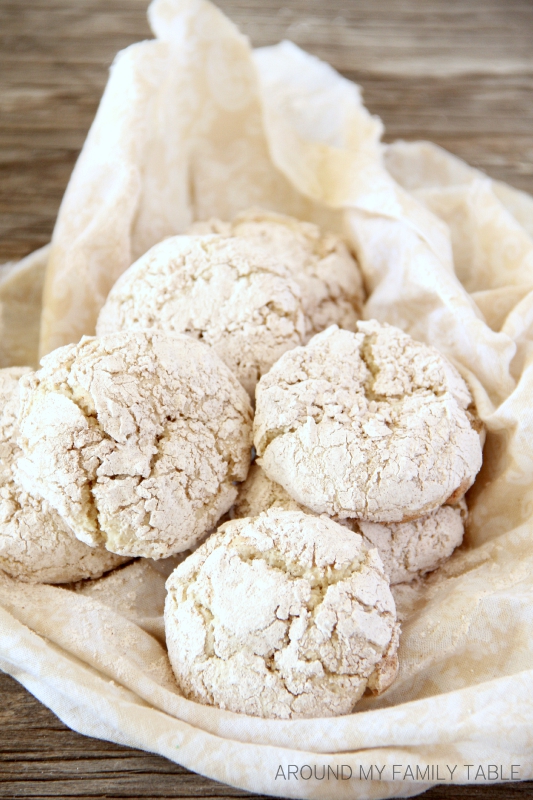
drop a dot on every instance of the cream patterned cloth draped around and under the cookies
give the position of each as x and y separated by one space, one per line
446 255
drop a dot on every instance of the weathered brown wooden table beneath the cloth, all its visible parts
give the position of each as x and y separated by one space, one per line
458 72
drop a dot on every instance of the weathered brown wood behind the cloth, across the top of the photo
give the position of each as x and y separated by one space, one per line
459 72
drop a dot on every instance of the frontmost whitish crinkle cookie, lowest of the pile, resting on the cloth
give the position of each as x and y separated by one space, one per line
285 616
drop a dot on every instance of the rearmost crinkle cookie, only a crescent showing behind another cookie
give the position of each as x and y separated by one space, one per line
328 276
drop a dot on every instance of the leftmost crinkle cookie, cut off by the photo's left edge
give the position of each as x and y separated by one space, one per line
35 544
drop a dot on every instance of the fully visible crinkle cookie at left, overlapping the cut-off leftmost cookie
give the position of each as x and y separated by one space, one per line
136 439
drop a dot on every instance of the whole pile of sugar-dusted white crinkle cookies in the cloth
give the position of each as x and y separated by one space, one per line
139 441
